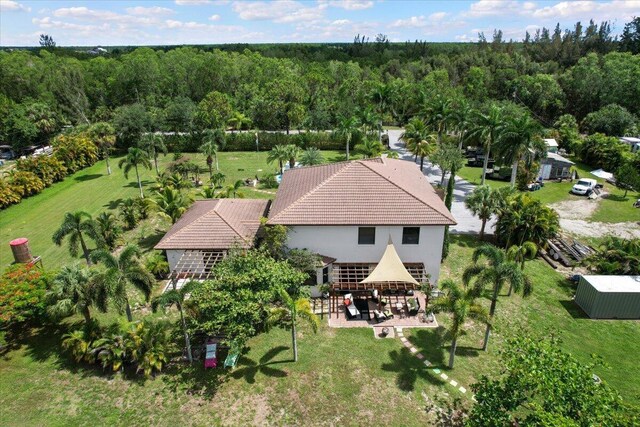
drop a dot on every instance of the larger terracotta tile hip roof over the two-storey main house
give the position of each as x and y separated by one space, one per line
361 192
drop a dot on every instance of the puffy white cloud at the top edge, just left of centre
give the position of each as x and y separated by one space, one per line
285 11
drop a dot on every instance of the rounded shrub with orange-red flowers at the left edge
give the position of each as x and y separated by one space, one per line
22 294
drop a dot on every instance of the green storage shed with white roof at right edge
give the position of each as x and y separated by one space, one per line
609 297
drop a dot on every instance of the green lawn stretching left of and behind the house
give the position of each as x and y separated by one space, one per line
93 191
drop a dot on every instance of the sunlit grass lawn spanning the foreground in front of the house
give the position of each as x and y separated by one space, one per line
344 376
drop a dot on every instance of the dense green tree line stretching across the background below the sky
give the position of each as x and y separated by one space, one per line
282 87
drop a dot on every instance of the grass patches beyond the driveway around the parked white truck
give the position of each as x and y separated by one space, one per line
613 208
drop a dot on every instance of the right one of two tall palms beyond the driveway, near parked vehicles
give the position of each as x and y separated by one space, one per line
520 139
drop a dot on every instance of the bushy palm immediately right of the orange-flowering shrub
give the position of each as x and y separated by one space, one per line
74 291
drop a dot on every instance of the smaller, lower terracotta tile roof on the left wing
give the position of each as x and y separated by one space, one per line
216 224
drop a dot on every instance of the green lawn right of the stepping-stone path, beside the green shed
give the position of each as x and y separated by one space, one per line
549 310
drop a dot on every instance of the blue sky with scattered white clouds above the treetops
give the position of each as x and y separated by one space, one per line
161 22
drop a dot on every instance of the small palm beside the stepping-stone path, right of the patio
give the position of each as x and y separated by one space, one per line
460 302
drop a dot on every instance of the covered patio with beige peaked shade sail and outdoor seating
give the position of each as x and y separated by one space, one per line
389 293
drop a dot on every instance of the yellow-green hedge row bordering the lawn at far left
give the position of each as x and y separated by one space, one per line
33 174
